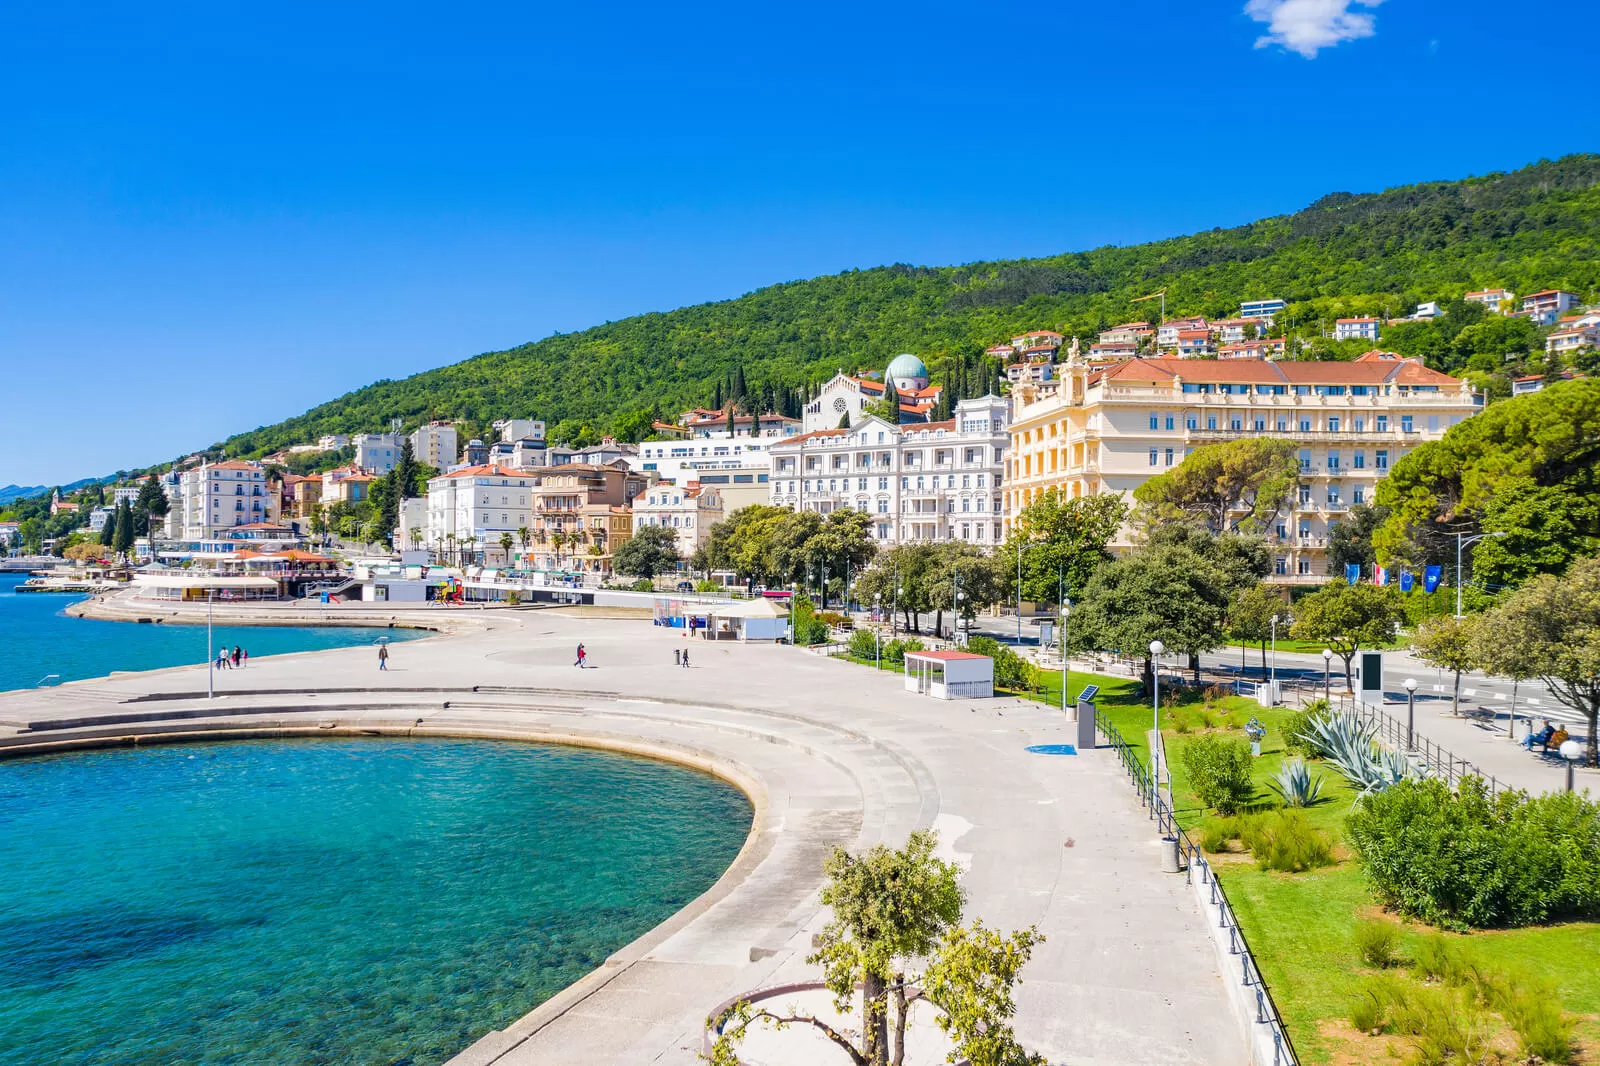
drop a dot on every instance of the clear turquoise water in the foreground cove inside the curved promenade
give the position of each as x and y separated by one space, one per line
377 902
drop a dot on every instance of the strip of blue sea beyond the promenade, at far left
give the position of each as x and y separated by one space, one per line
39 639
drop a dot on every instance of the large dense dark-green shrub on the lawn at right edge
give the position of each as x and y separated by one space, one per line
1462 860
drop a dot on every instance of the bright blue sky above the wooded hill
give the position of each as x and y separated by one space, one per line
217 215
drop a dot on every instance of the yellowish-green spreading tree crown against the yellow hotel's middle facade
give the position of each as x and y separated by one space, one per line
1255 475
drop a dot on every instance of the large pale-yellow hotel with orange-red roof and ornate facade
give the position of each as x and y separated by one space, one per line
1113 430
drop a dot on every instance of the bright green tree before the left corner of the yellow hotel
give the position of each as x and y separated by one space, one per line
1062 542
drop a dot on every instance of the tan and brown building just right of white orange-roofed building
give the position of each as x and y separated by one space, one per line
582 516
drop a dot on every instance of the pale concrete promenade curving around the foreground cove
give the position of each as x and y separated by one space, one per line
831 753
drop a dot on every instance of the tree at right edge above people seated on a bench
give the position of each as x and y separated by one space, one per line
1556 622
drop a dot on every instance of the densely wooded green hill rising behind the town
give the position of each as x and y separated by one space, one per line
1346 254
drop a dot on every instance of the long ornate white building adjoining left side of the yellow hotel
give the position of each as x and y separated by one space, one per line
921 483
